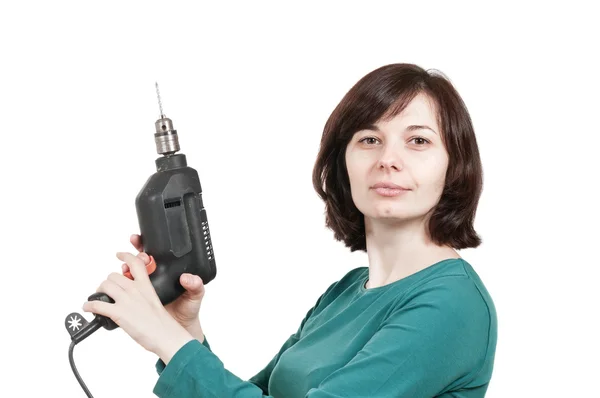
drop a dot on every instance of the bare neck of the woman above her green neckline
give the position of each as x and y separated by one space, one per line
398 249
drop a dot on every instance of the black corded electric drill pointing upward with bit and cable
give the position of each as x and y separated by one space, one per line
173 228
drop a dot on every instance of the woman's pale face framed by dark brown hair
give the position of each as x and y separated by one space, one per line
397 152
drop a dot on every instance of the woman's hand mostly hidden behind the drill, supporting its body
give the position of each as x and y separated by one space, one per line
186 308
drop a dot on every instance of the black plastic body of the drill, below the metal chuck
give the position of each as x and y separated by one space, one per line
174 226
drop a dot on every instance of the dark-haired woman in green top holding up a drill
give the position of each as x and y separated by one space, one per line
400 174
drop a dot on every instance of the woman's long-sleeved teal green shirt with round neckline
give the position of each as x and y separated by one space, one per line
430 334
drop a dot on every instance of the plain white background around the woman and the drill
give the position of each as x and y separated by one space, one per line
249 86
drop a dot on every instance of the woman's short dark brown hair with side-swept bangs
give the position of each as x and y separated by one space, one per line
381 94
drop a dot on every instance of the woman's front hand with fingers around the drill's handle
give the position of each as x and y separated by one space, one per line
138 310
